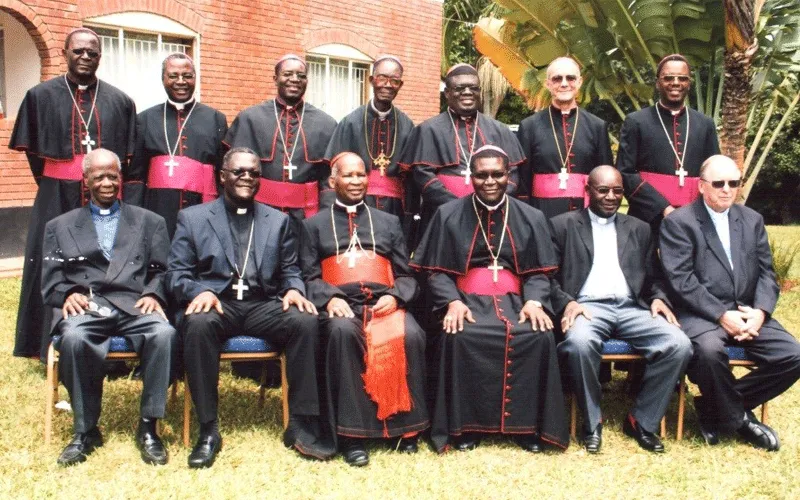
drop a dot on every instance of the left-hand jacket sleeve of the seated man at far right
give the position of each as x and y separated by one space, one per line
677 255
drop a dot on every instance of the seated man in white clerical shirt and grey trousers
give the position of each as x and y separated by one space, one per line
610 285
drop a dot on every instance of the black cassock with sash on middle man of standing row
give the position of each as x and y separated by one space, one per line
385 136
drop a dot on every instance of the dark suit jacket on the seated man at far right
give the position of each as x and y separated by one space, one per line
699 272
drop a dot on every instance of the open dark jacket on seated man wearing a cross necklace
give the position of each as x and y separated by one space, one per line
201 258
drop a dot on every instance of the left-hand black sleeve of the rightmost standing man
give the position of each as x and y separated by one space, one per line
640 194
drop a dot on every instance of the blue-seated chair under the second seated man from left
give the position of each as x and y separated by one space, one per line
242 348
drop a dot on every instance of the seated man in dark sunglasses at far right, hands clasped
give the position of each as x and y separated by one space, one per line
717 258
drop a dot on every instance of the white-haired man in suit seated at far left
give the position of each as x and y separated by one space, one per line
103 273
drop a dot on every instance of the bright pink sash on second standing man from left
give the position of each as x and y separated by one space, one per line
188 175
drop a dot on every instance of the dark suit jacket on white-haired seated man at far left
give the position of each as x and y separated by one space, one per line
73 261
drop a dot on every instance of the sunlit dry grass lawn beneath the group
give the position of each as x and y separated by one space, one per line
254 464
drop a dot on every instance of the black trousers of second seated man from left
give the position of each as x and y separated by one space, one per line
294 332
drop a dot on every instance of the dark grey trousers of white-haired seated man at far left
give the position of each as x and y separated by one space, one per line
83 347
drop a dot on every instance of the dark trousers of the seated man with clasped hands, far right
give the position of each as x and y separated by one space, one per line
725 398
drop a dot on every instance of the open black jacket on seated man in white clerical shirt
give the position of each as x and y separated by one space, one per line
572 238
